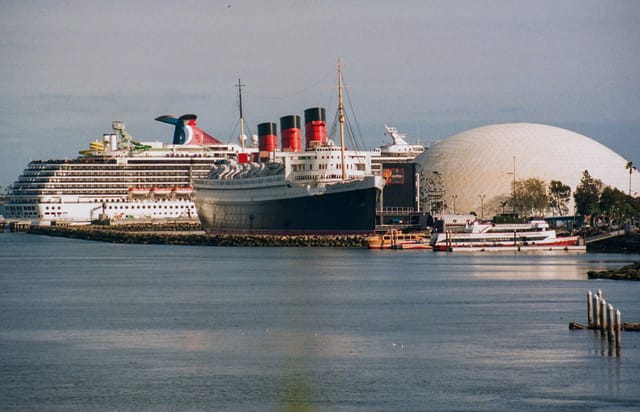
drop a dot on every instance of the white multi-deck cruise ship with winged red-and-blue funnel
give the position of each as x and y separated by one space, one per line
118 178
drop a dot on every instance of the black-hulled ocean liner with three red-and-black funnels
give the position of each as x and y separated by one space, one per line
321 189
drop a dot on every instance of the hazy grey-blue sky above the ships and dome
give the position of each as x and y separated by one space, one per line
431 68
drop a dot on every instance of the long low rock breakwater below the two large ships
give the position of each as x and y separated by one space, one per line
189 234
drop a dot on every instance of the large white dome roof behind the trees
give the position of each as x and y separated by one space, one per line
481 161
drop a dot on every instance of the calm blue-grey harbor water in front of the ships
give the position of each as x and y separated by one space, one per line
97 326
